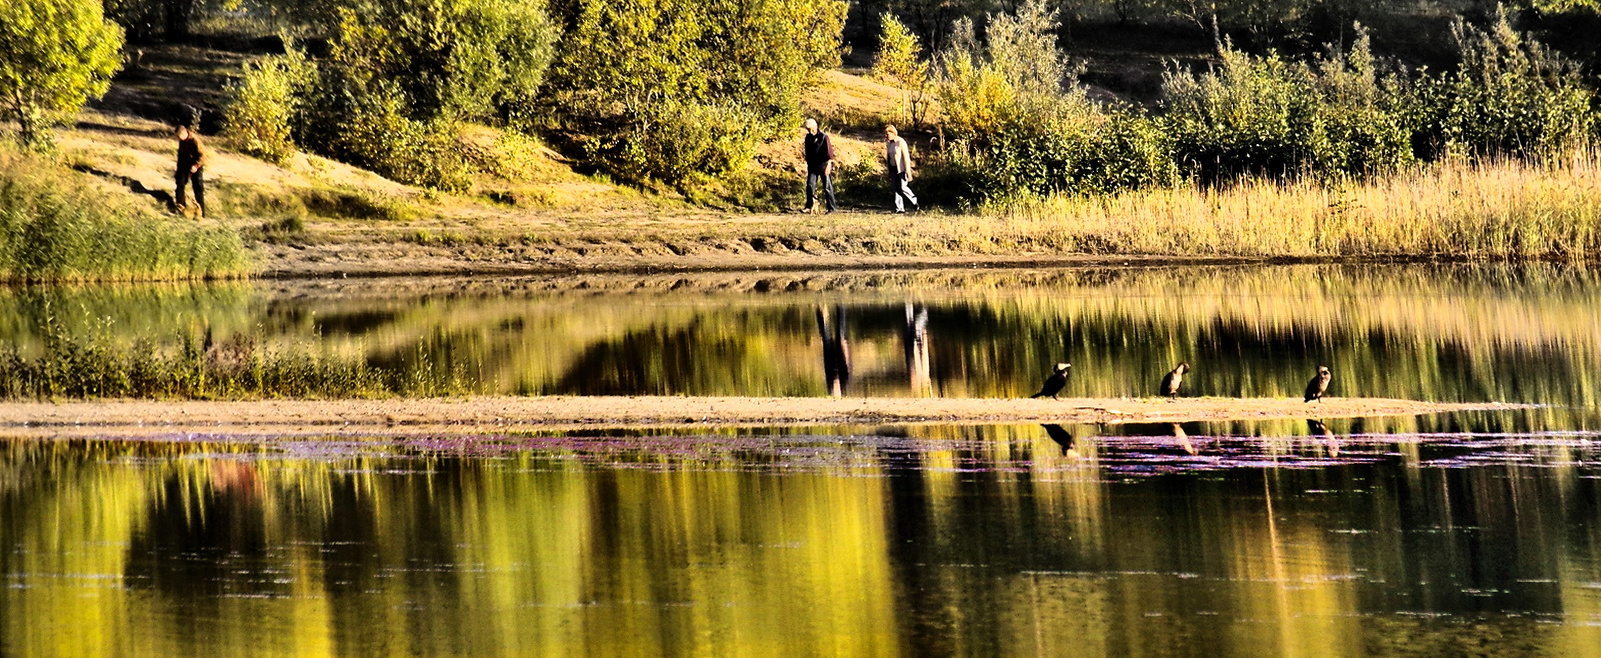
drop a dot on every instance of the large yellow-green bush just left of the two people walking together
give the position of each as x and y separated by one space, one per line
630 68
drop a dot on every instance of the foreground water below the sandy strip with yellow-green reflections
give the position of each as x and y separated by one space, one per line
912 540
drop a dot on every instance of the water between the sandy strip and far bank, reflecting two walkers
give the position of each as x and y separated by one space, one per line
1520 334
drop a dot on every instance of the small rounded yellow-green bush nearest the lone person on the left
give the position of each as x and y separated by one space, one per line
265 102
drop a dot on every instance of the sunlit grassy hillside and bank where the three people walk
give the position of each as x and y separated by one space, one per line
534 209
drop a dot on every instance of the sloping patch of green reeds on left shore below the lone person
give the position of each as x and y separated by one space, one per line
57 225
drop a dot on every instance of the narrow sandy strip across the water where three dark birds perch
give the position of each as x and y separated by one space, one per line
513 414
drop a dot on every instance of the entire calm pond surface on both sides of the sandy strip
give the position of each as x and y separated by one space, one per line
1442 536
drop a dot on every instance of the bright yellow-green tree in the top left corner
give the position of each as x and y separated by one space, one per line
54 57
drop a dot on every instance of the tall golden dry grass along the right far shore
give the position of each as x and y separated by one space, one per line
1491 211
